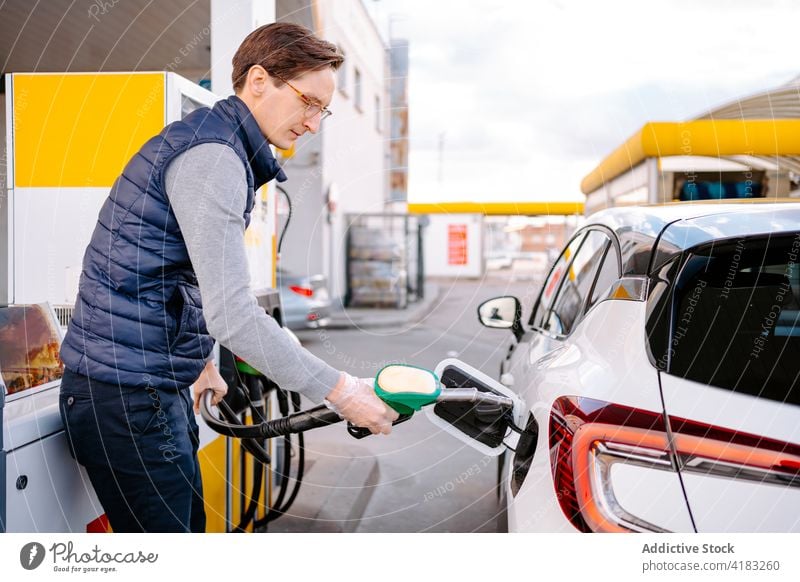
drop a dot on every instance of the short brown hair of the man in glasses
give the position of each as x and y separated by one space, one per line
285 50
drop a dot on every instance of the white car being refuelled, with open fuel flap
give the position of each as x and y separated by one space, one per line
660 370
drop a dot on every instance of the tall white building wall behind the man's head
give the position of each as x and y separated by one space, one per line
349 152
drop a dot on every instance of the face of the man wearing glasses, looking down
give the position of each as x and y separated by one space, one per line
280 111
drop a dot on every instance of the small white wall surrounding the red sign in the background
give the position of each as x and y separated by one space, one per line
437 246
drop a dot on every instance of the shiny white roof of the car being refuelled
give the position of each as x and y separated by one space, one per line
679 226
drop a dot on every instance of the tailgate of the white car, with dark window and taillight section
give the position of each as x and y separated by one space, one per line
731 383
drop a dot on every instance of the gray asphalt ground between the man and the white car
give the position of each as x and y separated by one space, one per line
426 480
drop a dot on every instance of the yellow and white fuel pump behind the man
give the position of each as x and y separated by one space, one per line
68 137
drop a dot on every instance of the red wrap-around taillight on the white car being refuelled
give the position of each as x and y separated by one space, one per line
587 437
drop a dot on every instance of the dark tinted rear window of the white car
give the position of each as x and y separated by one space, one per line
736 317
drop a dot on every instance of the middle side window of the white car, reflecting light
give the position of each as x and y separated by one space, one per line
568 308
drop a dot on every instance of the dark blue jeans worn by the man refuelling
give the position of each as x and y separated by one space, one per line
139 448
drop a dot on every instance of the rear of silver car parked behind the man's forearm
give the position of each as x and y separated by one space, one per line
305 301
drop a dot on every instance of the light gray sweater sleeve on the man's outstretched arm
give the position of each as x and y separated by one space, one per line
207 189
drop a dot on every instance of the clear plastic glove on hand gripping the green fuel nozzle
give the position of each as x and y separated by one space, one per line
354 400
